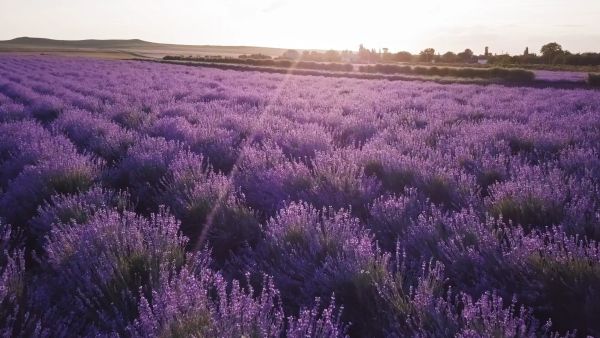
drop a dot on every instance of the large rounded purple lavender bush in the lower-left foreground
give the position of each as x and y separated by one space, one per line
97 270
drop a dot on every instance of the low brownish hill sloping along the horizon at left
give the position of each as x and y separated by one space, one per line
125 48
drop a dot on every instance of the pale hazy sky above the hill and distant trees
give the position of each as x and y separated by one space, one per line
507 25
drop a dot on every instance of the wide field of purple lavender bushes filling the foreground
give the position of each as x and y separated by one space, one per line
151 200
